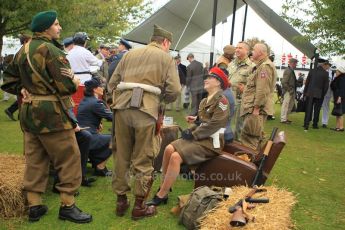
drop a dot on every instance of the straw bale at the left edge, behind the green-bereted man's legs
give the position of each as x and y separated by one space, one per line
12 202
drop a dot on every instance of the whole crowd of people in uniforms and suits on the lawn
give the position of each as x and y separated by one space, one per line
130 88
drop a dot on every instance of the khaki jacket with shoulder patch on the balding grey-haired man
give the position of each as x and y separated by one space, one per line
259 88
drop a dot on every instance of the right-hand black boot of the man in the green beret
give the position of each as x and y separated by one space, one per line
74 214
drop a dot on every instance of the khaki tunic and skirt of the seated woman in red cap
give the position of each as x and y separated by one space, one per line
214 114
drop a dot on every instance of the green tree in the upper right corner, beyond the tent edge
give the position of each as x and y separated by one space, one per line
320 21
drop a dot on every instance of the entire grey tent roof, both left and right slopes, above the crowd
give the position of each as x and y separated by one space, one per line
174 16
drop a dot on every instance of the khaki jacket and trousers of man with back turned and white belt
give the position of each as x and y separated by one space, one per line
136 141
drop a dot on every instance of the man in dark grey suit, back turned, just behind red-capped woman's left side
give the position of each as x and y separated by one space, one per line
195 82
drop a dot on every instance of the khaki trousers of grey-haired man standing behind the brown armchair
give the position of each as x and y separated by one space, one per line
253 131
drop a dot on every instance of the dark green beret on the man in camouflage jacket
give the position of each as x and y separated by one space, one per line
43 20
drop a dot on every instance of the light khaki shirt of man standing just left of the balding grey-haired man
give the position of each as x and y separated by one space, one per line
239 72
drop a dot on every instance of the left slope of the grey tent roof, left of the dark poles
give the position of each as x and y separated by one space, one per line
174 16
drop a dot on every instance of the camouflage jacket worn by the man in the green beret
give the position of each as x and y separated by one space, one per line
42 115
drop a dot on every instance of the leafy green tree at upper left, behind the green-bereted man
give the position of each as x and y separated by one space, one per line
103 20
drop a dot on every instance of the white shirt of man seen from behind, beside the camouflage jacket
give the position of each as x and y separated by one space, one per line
82 60
